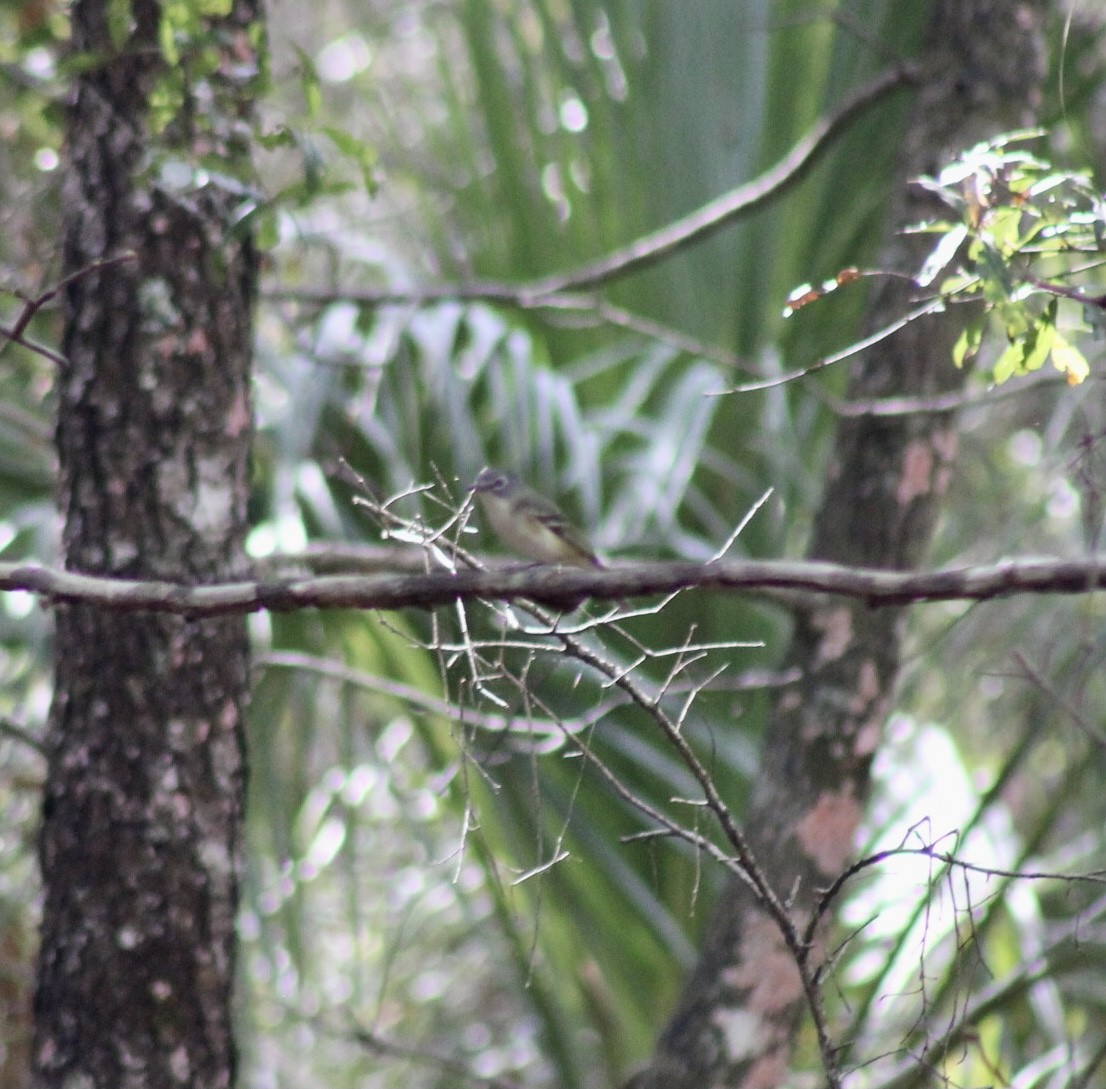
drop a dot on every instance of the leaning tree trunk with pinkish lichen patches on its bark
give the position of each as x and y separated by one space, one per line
984 67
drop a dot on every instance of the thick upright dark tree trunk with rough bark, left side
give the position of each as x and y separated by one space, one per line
142 826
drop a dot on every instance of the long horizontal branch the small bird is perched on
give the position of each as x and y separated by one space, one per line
559 585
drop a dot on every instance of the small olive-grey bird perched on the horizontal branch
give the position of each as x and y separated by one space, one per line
529 523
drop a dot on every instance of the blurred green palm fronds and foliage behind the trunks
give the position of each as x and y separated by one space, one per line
432 873
